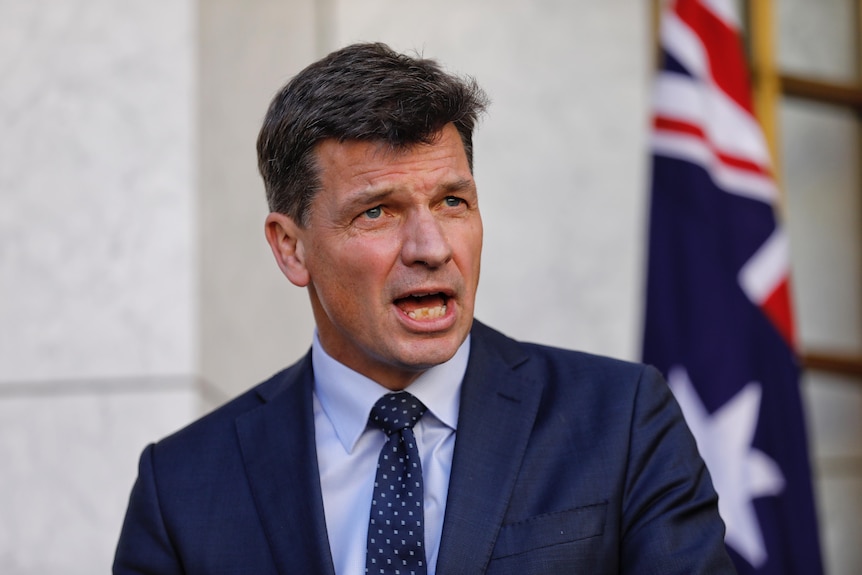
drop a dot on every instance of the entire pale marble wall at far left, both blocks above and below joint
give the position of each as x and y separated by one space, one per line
97 266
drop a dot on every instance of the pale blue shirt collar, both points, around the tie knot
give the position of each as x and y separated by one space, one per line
347 397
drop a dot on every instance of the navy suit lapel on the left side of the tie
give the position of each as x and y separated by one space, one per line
277 443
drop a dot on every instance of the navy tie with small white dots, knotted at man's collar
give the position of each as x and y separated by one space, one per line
396 528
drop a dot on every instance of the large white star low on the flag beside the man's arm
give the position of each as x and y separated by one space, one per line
740 473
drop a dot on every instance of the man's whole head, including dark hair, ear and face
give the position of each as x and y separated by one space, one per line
374 206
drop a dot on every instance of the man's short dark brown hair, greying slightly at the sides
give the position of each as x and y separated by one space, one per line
361 92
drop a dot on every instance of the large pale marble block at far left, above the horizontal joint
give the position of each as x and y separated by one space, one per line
96 209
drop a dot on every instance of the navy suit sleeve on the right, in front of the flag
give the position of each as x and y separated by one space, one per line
670 509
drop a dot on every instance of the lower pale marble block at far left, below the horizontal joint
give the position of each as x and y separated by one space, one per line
69 453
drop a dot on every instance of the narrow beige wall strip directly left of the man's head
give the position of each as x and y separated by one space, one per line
253 322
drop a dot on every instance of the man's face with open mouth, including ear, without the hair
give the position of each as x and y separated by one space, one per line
391 255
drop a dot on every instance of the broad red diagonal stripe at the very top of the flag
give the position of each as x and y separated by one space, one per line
723 48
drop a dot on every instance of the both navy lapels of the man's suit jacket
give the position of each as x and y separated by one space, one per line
498 408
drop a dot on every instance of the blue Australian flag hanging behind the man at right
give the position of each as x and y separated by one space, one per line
718 314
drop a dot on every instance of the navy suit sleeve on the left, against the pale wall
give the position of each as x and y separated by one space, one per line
145 547
